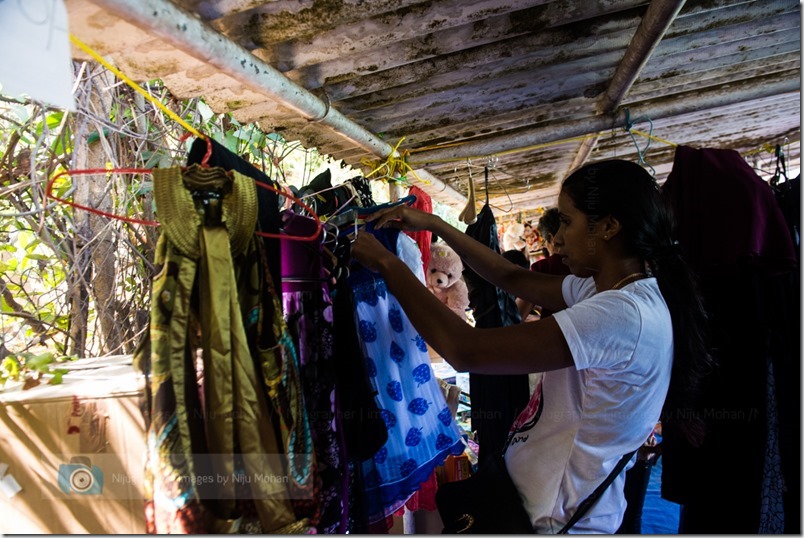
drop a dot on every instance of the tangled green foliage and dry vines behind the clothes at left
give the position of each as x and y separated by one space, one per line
47 269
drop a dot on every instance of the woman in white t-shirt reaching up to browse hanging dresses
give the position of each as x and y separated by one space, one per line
626 341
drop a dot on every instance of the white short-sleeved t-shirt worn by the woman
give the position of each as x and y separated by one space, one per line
593 414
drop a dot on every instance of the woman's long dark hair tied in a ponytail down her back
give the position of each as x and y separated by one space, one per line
627 192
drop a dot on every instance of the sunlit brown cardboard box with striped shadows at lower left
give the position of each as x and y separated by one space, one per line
76 450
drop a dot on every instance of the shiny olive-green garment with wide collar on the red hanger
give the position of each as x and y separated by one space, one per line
225 430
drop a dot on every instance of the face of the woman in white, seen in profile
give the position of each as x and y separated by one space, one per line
577 239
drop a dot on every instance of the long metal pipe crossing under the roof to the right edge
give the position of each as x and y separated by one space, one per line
736 92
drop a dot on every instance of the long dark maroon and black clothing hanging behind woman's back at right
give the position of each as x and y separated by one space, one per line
735 237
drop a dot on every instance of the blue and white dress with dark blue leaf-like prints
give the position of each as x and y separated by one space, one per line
421 430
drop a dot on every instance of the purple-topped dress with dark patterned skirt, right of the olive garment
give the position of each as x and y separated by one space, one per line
309 316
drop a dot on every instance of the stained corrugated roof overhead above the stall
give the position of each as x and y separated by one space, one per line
535 86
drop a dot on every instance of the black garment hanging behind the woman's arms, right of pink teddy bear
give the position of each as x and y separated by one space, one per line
496 399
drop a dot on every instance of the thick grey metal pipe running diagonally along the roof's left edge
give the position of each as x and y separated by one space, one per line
190 35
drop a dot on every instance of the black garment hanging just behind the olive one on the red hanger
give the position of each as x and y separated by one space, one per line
268 201
